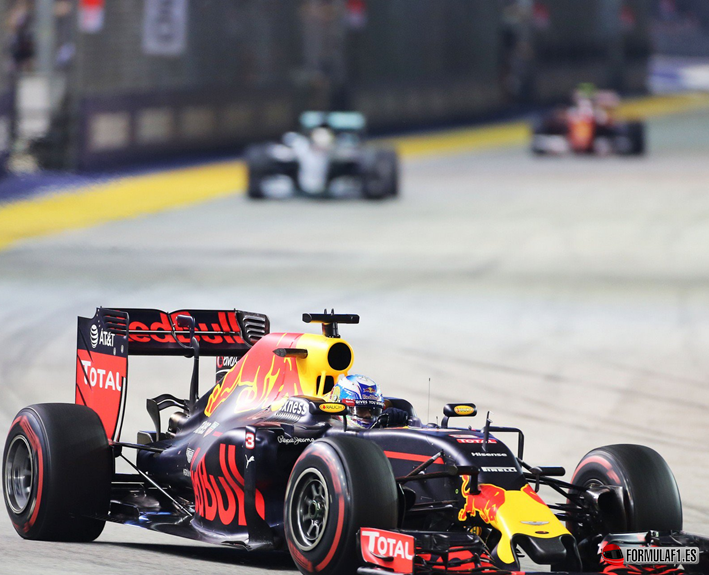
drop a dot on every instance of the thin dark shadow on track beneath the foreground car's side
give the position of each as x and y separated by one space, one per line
269 561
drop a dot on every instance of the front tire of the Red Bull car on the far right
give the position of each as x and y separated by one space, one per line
651 498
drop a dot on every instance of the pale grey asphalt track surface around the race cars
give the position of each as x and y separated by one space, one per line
567 296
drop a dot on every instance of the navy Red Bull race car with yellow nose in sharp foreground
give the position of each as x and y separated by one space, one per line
263 460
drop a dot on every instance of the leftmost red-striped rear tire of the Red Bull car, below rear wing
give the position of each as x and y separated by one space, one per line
57 471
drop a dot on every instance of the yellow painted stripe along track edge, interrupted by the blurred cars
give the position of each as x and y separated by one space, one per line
134 196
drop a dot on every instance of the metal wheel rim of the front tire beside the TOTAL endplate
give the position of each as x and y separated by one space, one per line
310 509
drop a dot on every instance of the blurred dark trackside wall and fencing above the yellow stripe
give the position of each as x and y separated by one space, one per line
90 84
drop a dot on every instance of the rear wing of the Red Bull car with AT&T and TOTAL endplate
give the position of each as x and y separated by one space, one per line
105 341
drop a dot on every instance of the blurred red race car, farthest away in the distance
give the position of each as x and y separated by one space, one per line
588 127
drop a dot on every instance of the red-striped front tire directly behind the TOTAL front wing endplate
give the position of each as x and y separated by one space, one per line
338 485
